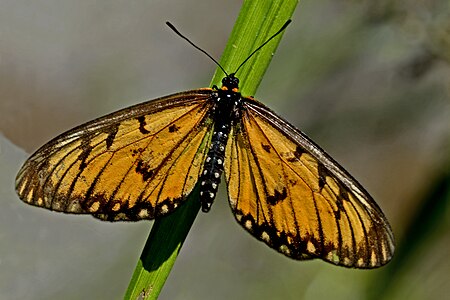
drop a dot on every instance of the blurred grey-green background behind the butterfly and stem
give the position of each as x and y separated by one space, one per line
369 81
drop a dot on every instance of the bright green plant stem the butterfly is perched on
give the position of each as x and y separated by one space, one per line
257 21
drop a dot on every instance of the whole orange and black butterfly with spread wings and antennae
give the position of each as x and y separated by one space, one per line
143 161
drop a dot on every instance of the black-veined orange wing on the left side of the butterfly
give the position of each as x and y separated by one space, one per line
138 163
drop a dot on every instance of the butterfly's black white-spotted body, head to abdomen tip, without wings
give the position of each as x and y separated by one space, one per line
224 114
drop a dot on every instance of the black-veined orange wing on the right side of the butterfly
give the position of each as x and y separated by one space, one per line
289 193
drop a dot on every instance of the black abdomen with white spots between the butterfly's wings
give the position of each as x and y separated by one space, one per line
213 168
